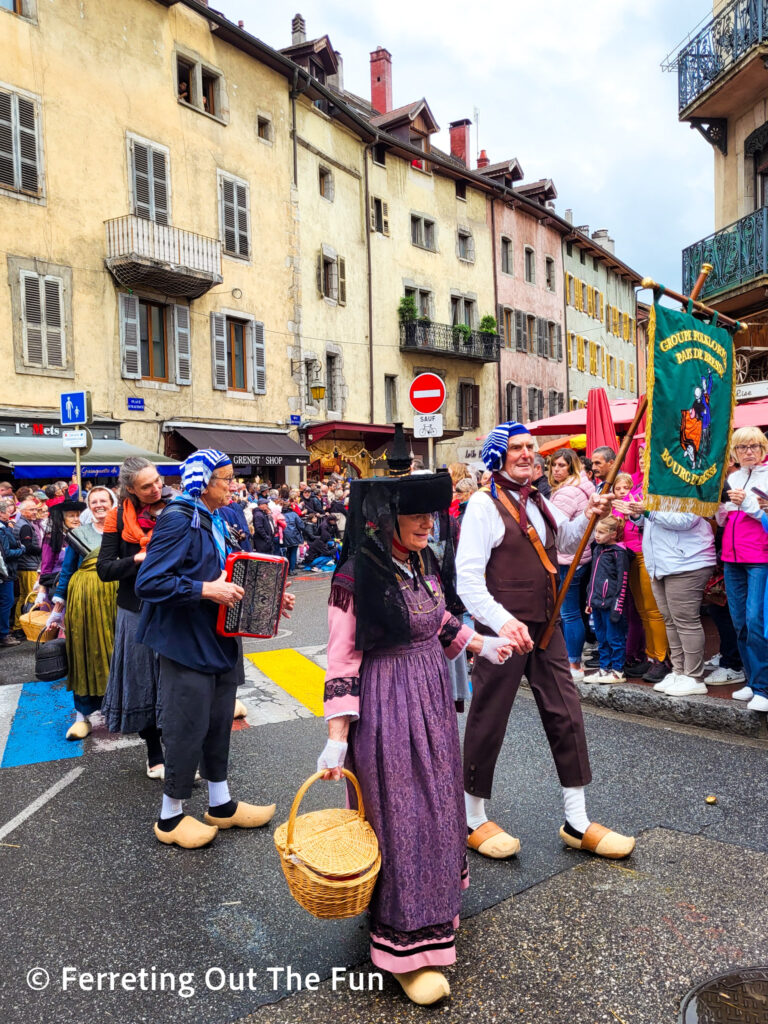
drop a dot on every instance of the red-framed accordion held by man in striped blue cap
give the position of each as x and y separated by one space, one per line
264 580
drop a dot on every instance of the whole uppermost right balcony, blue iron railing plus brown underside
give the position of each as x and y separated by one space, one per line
728 50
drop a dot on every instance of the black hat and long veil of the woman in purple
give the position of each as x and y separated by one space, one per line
367 574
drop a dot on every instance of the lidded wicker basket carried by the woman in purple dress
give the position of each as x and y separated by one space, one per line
331 859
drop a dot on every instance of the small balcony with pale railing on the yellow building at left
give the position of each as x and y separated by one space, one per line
173 261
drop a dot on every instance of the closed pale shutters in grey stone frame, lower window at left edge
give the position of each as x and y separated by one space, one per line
42 321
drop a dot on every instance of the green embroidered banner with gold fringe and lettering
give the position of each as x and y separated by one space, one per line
691 411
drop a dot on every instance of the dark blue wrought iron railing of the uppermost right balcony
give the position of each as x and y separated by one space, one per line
719 47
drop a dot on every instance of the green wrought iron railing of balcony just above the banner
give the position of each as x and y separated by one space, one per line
739 254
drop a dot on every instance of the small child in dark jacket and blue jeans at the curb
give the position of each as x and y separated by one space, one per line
608 601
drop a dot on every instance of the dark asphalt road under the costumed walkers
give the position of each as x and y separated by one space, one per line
552 935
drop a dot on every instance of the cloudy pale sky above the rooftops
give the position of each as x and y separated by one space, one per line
572 89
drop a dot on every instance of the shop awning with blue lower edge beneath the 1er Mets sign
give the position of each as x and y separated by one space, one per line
48 459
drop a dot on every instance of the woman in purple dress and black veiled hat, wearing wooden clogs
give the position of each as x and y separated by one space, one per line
393 722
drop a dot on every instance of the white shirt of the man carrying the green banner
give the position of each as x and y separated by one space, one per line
483 530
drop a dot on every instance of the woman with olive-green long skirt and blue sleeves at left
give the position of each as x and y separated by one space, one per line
88 610
